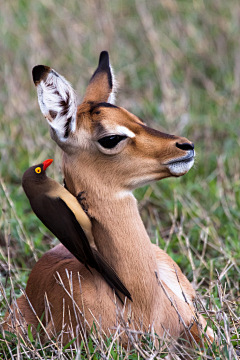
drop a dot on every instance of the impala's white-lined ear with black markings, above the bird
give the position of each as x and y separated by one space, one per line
57 100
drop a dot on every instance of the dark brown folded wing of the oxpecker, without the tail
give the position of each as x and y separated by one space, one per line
61 221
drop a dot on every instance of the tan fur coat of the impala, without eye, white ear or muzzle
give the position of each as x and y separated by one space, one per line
107 177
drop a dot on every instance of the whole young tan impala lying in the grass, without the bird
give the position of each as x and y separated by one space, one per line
107 153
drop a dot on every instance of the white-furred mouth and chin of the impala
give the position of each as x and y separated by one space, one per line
181 166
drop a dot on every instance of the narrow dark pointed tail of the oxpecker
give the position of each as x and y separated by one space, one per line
110 275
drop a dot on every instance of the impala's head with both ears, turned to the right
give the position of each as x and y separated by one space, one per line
105 140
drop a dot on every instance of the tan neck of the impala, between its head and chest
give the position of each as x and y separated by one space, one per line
122 238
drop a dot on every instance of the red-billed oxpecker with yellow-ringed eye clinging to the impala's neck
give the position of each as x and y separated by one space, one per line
62 214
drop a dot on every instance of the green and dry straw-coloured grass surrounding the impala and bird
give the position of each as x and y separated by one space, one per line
178 66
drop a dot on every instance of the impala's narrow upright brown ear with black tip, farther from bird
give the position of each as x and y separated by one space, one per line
102 86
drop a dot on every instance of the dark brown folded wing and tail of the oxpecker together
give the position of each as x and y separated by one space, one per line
61 221
